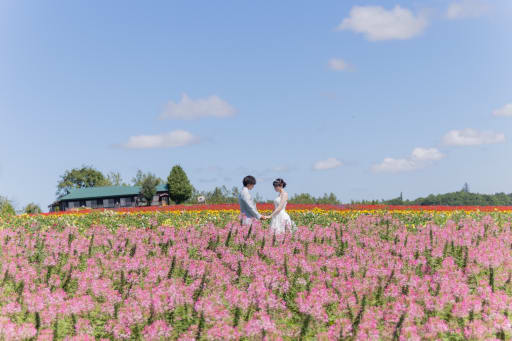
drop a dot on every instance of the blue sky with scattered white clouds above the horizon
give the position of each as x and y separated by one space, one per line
363 99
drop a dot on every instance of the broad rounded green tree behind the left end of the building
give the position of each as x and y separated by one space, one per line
86 176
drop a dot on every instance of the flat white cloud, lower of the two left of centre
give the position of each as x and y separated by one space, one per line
176 138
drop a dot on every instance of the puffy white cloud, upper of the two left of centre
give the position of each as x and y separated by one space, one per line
188 108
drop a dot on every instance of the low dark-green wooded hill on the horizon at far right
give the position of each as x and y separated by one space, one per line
460 198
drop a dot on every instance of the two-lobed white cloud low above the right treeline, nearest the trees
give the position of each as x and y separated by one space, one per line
419 158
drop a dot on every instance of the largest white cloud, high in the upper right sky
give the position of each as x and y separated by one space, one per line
378 23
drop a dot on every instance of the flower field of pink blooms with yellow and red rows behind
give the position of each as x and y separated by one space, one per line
362 273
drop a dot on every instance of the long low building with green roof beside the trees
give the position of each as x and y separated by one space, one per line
108 197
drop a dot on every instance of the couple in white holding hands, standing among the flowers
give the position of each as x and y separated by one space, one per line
280 221
